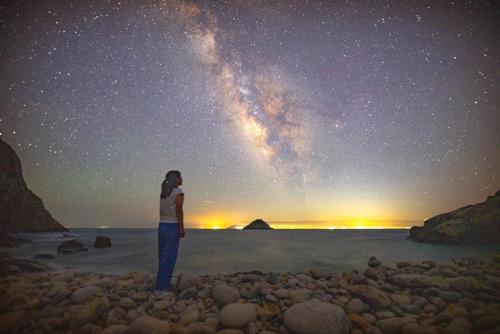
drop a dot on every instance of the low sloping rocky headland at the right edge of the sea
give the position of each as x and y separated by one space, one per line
478 223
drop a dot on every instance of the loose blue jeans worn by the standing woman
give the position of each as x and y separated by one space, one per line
168 246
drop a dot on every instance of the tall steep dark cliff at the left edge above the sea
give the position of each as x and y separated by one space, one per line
21 210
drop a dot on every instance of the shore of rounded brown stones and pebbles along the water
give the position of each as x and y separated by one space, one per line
462 296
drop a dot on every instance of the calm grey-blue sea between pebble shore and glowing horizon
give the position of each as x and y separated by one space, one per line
227 251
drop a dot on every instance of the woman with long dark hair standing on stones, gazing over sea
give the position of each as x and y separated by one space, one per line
171 227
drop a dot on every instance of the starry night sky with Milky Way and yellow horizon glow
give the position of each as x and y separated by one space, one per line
307 114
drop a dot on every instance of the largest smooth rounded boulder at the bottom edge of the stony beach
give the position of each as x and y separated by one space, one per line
315 317
